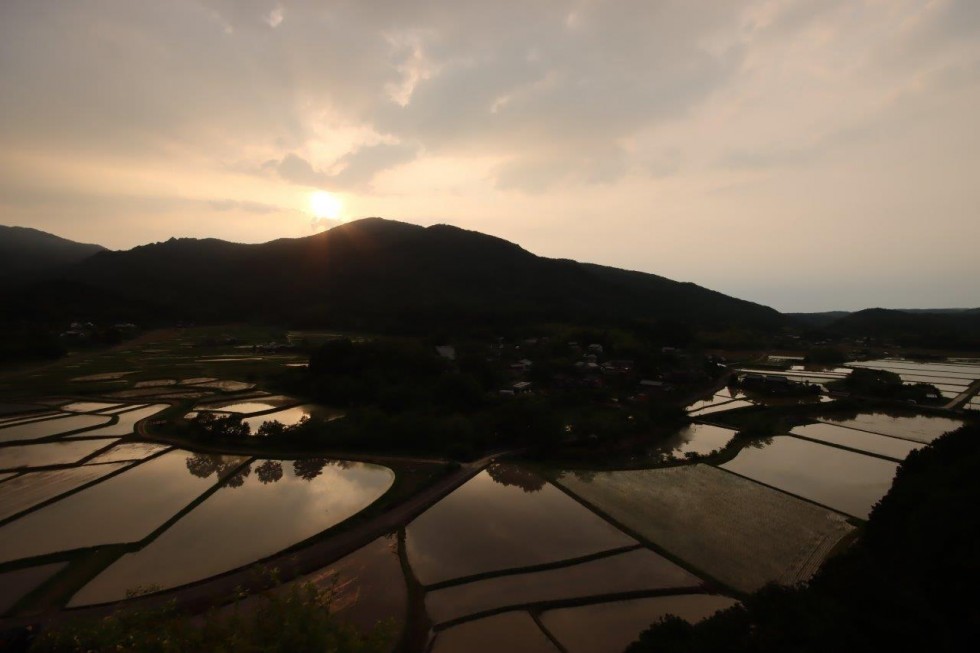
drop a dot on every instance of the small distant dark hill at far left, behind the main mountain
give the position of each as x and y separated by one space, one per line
28 252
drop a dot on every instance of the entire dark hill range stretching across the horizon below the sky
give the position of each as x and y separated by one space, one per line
383 274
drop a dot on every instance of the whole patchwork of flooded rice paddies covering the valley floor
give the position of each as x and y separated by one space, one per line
98 509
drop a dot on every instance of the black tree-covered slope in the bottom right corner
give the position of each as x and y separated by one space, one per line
908 585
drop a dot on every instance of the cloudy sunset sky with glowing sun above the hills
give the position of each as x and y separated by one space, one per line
805 154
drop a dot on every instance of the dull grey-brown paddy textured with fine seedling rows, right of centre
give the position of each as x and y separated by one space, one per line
768 535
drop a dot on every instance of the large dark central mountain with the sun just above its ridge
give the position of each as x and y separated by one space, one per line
384 274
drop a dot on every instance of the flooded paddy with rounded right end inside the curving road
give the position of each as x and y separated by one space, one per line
260 509
